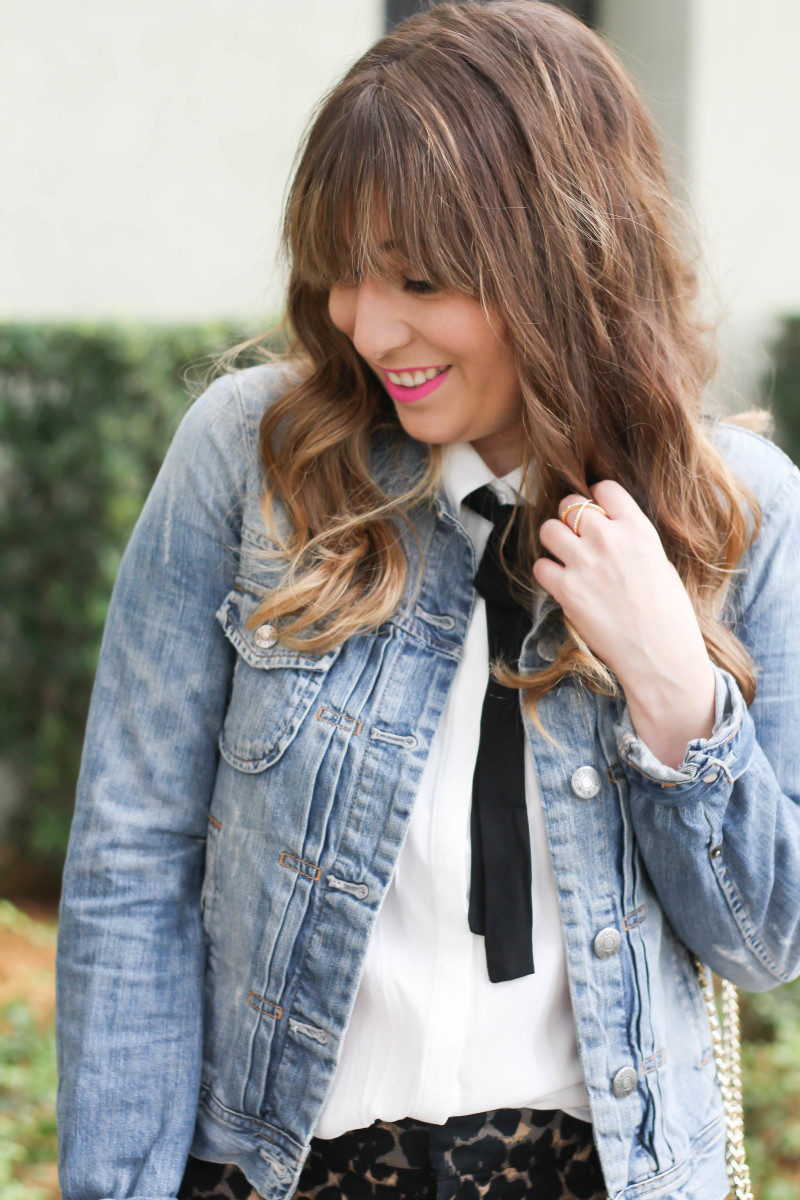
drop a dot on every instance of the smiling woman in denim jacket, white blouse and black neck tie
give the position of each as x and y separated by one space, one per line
344 915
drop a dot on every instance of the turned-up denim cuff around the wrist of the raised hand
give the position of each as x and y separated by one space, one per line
709 764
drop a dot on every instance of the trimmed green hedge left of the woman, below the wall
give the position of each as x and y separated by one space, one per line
86 419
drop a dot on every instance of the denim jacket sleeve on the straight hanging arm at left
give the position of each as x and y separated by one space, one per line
130 959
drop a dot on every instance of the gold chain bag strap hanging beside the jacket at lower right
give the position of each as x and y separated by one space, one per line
726 1040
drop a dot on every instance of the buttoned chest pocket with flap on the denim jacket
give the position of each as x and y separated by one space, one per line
273 689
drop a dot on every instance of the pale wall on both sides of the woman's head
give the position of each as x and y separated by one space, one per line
147 147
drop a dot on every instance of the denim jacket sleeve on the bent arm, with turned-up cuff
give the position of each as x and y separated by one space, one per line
720 835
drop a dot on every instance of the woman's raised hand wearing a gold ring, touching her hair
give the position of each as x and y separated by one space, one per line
628 602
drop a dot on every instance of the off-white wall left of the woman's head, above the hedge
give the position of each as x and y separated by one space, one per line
147 145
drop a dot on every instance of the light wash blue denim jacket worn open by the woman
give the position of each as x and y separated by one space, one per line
242 807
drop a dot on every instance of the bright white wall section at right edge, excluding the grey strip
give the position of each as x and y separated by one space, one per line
745 153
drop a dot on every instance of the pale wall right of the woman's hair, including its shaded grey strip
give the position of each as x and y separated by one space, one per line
723 81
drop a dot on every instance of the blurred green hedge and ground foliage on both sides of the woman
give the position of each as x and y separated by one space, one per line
87 415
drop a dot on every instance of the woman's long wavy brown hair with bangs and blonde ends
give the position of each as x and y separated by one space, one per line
515 163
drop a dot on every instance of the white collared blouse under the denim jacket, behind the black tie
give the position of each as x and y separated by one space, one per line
430 1035
